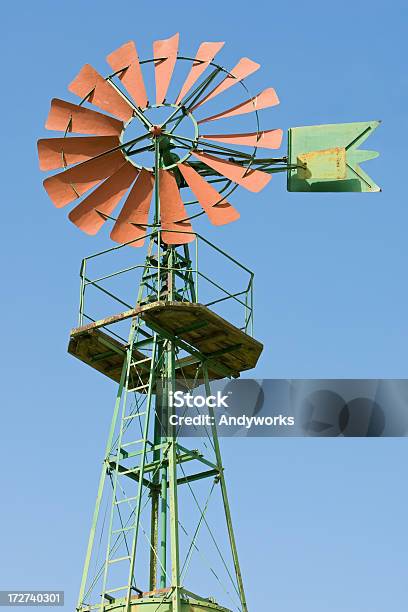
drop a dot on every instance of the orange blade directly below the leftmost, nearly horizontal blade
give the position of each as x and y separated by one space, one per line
69 185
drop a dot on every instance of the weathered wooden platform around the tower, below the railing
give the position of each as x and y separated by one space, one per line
227 350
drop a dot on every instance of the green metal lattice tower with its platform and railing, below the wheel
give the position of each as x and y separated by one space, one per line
173 340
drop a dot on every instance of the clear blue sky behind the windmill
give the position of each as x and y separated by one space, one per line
321 523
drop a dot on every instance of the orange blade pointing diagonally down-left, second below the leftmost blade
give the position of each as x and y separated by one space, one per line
89 214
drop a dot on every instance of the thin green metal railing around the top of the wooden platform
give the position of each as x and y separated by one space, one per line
241 297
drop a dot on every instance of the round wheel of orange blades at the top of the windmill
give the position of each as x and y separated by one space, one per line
129 156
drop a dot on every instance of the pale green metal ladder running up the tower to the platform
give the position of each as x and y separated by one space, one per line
123 532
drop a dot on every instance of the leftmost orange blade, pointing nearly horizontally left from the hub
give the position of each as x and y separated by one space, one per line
56 153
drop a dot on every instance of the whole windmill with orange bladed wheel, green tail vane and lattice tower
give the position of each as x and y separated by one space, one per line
150 179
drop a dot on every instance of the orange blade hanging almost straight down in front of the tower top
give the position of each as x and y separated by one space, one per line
175 225
